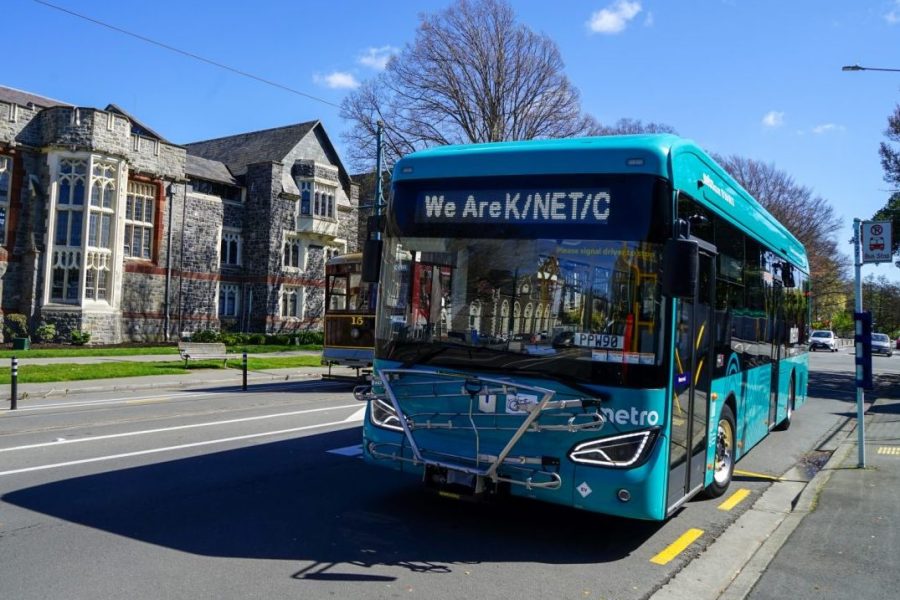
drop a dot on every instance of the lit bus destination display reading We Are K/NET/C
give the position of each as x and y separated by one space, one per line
575 206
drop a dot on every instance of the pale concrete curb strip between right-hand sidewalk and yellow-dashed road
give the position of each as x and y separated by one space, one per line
730 567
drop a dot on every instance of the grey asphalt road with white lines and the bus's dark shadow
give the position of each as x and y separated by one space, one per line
261 494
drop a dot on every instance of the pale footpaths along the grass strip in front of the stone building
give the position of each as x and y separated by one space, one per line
195 378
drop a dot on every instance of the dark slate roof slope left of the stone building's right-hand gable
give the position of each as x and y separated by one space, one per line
238 151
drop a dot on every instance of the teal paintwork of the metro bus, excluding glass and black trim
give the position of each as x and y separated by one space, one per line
690 171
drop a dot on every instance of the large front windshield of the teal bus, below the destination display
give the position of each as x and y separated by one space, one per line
582 310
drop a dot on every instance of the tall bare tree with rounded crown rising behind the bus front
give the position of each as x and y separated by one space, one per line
472 74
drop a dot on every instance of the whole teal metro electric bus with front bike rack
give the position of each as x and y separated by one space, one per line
605 323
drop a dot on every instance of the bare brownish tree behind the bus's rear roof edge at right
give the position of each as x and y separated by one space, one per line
809 217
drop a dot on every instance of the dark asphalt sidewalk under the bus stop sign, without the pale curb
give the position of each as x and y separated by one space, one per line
846 536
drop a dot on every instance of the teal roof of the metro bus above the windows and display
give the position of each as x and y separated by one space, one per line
690 169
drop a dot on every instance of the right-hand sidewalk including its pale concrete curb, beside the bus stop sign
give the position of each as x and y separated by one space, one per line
833 536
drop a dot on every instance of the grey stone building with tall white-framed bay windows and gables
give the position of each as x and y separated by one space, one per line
109 228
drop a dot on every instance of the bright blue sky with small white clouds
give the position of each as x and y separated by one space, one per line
757 78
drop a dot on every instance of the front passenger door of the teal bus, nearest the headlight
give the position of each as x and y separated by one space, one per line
694 330
